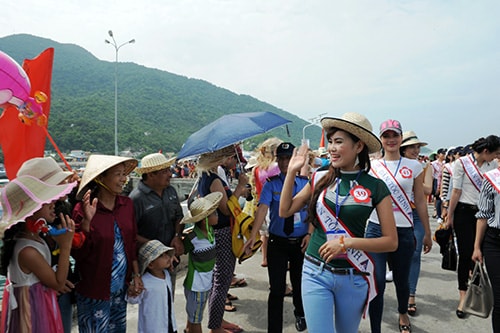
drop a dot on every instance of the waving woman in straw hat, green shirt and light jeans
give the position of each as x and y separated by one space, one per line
338 275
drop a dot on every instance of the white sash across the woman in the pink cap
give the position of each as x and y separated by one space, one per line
398 195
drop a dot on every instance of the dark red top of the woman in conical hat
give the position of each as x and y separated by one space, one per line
95 257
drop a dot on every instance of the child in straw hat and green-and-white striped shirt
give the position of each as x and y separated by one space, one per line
200 245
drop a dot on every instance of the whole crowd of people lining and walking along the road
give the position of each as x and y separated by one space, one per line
332 219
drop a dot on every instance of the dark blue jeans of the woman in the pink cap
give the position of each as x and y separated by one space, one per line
401 259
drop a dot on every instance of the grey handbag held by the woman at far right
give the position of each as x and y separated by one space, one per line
479 296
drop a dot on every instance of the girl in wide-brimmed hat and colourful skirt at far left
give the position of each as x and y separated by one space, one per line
30 300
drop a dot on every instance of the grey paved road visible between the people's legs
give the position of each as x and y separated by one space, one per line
436 300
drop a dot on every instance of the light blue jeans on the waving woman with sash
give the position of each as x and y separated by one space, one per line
332 302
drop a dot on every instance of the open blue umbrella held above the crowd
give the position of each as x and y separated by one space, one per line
228 130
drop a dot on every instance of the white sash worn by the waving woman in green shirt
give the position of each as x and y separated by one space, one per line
358 258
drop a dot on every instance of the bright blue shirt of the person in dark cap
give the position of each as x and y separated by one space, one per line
270 196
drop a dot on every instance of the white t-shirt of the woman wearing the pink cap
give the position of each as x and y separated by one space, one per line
411 169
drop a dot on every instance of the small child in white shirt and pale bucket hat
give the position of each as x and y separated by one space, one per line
156 306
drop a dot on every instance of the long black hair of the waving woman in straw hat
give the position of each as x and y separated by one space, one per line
333 174
